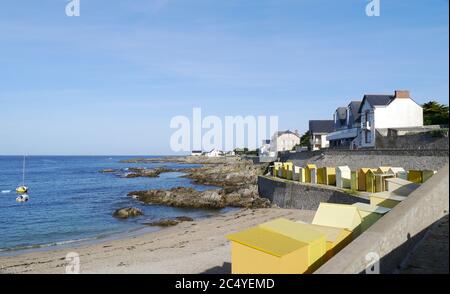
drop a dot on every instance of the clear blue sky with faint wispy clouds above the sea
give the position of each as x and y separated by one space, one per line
109 81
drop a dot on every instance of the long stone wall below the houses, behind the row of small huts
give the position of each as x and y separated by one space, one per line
408 159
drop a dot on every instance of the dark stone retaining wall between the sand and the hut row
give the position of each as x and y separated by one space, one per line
289 194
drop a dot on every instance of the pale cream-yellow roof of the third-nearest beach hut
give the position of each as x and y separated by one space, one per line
338 216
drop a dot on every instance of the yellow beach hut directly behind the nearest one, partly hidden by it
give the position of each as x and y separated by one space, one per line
304 233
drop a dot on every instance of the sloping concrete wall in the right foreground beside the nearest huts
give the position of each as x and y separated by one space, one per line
395 234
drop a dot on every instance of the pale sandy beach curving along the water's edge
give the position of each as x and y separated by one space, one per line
188 248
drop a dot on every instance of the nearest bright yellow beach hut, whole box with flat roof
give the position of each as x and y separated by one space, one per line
260 251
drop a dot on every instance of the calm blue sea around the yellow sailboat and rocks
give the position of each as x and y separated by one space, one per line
70 200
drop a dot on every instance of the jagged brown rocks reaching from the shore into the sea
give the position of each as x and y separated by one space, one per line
235 177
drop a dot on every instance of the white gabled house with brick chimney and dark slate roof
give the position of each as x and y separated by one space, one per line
387 111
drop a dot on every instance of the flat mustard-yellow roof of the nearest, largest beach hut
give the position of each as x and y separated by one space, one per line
267 241
